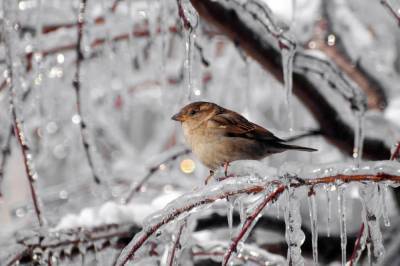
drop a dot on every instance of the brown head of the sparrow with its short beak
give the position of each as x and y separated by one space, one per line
196 112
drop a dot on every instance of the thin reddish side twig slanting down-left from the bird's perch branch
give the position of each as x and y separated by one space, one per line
250 220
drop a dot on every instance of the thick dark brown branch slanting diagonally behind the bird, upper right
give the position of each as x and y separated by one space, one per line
336 130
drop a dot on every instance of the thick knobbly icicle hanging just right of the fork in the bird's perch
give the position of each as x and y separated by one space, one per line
294 235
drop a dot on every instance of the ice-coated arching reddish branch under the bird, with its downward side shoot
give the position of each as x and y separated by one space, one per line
182 206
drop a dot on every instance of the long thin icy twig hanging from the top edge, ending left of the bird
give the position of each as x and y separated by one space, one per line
77 85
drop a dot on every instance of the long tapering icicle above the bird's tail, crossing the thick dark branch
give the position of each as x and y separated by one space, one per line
287 52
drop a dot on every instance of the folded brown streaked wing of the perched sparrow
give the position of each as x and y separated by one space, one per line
232 124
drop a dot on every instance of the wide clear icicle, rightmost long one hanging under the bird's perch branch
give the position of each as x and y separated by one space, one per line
372 213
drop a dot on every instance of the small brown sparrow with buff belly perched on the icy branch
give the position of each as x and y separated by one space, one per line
218 136
